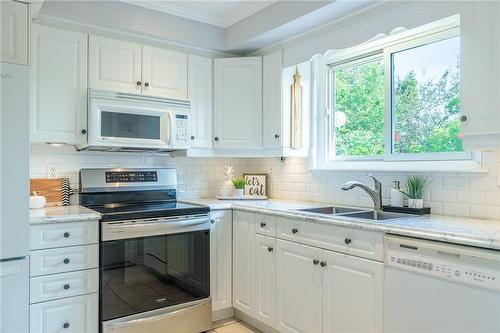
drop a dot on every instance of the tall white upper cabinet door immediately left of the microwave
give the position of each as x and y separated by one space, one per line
59 86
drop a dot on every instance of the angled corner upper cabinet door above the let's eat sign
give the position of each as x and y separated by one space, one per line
238 102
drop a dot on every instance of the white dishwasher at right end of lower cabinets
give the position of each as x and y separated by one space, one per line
439 287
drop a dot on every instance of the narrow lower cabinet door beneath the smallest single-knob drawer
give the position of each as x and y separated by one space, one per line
265 280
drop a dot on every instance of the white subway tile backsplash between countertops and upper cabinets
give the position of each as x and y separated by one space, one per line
455 194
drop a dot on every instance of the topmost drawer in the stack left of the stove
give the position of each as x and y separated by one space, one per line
46 236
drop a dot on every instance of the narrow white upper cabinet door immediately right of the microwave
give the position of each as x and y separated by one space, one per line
200 95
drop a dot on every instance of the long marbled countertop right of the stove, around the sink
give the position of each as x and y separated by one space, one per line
465 231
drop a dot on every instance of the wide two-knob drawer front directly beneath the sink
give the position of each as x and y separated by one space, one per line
361 243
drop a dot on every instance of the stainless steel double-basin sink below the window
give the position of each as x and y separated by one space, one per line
354 213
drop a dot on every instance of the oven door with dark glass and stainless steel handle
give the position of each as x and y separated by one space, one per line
148 265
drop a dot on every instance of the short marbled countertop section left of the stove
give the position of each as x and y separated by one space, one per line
72 213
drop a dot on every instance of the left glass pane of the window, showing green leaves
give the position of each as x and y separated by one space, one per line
359 110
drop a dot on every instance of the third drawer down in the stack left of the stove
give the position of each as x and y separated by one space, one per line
51 287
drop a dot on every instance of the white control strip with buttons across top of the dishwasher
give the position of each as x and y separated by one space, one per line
478 275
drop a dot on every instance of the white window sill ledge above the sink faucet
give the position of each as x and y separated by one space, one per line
469 166
